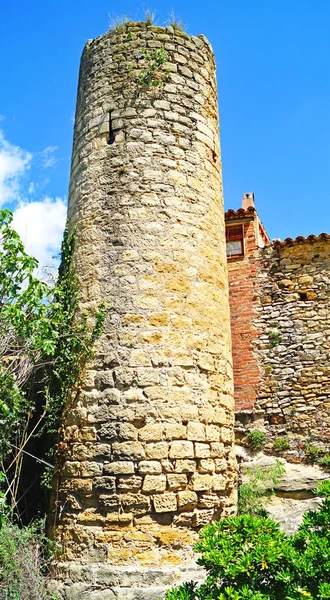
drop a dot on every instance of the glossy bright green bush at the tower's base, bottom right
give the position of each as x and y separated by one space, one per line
249 558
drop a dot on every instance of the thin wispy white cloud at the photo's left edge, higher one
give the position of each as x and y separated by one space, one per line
14 161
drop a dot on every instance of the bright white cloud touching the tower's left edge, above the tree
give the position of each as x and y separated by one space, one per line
40 225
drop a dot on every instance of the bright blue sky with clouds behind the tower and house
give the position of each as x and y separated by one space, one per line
274 96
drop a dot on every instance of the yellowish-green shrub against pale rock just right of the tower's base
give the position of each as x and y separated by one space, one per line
260 485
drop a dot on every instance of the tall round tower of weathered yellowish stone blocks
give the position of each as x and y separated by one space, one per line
150 436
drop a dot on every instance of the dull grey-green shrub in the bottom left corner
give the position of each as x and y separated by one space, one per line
22 563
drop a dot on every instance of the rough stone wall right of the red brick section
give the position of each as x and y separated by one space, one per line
293 346
